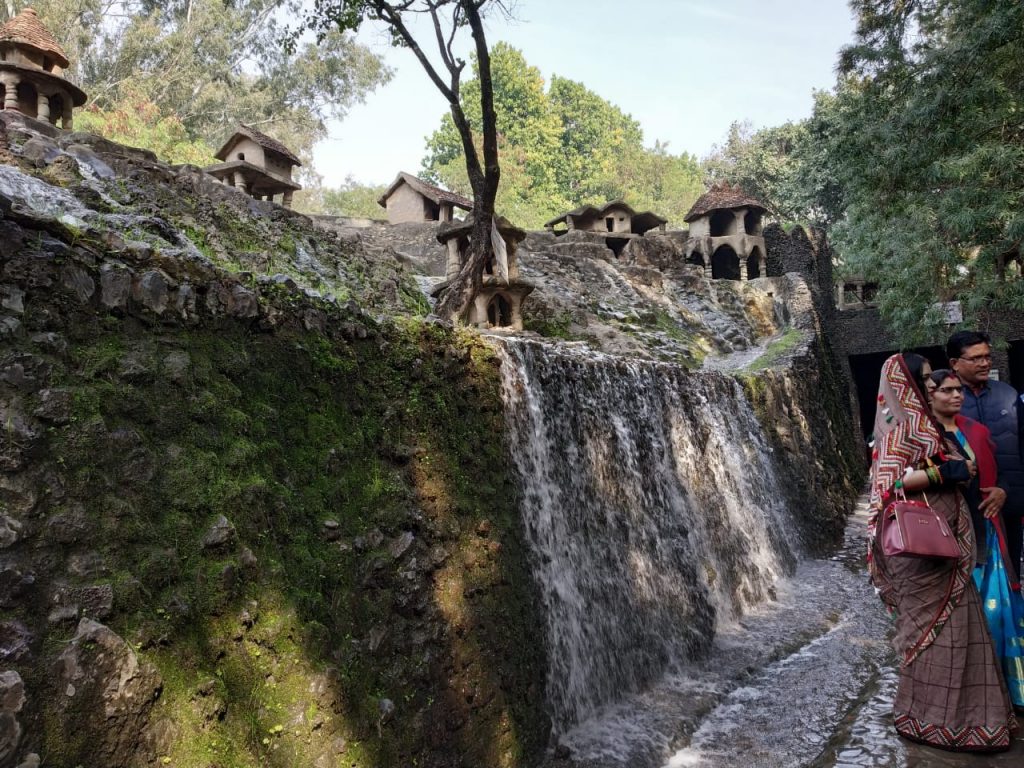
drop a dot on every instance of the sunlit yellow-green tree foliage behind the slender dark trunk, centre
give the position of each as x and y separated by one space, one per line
564 148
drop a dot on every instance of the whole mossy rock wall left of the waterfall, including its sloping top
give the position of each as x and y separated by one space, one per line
243 524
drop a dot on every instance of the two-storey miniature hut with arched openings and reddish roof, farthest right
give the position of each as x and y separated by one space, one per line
728 235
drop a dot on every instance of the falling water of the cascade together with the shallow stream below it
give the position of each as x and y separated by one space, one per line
684 629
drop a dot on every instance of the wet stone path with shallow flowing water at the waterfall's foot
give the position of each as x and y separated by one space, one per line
808 681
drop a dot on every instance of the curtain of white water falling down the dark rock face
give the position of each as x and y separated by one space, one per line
652 508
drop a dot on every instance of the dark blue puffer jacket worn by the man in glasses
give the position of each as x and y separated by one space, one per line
999 408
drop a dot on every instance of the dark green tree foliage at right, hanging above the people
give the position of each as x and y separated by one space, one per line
926 137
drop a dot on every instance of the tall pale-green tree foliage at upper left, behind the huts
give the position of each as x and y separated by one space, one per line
207 65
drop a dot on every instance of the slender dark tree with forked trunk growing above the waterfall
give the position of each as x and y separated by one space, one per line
448 18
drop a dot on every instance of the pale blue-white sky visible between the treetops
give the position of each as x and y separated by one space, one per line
686 70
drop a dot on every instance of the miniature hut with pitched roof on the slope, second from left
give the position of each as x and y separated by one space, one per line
258 165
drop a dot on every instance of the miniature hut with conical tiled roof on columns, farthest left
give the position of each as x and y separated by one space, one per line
32 64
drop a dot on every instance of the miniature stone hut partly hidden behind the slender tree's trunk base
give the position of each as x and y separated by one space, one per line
499 305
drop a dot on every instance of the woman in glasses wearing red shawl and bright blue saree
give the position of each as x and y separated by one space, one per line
997 584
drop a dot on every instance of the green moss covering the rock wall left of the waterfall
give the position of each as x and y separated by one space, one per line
279 434
